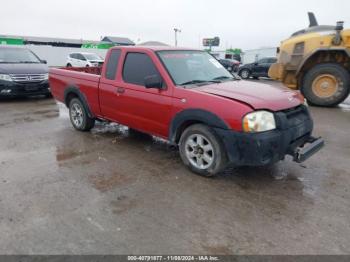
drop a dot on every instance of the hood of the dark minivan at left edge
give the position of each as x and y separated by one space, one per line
23 69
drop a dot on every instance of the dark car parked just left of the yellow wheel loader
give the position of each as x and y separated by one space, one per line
257 69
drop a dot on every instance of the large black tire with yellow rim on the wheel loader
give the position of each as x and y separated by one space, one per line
310 84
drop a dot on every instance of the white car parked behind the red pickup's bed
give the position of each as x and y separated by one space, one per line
84 60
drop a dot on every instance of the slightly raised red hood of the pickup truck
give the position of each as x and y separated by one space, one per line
257 95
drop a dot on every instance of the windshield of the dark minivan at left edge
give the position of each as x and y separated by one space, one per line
13 55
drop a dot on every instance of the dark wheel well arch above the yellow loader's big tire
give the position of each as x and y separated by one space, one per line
334 56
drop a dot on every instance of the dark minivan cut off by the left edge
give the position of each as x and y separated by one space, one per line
22 73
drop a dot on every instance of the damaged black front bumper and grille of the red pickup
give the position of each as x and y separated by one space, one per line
291 137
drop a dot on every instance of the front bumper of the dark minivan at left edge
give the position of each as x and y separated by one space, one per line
12 89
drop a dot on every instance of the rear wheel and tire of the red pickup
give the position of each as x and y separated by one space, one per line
86 123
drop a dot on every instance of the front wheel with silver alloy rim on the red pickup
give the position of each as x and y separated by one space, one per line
202 151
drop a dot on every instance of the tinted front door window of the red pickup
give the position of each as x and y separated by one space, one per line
137 67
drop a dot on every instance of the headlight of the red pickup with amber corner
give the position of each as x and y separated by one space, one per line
259 121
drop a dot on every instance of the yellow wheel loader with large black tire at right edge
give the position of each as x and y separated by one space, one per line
316 60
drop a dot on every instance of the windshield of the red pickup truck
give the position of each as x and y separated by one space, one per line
191 67
